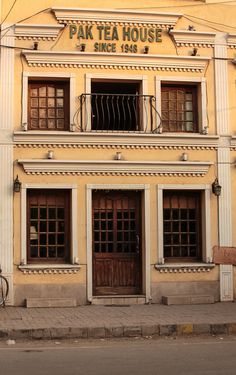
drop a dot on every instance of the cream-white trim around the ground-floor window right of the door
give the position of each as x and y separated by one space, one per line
206 218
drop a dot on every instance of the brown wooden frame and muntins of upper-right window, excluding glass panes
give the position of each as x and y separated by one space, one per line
180 126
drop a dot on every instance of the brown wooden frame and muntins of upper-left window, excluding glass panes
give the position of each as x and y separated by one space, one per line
56 84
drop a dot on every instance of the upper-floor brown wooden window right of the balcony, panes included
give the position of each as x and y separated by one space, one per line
179 108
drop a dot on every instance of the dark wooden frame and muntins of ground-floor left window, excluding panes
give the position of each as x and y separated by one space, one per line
48 195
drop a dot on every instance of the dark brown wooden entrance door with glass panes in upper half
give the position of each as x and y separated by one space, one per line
116 243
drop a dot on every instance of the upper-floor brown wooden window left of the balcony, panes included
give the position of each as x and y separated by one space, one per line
48 105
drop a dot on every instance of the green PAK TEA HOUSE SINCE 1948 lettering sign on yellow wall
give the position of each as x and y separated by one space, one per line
105 38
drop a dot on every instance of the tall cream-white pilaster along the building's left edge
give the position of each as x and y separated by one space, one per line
6 158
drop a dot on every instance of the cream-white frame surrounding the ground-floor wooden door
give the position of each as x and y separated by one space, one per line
146 234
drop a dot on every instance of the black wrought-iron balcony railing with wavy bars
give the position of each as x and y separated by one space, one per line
116 113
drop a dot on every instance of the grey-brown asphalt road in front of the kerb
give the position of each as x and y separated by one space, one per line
205 356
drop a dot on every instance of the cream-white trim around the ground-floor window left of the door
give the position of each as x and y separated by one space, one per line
74 228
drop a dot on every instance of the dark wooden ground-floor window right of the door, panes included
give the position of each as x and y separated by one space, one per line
182 238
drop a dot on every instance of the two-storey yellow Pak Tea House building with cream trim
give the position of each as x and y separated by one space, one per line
117 133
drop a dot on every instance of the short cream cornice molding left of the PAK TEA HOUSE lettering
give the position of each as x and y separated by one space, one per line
37 32
